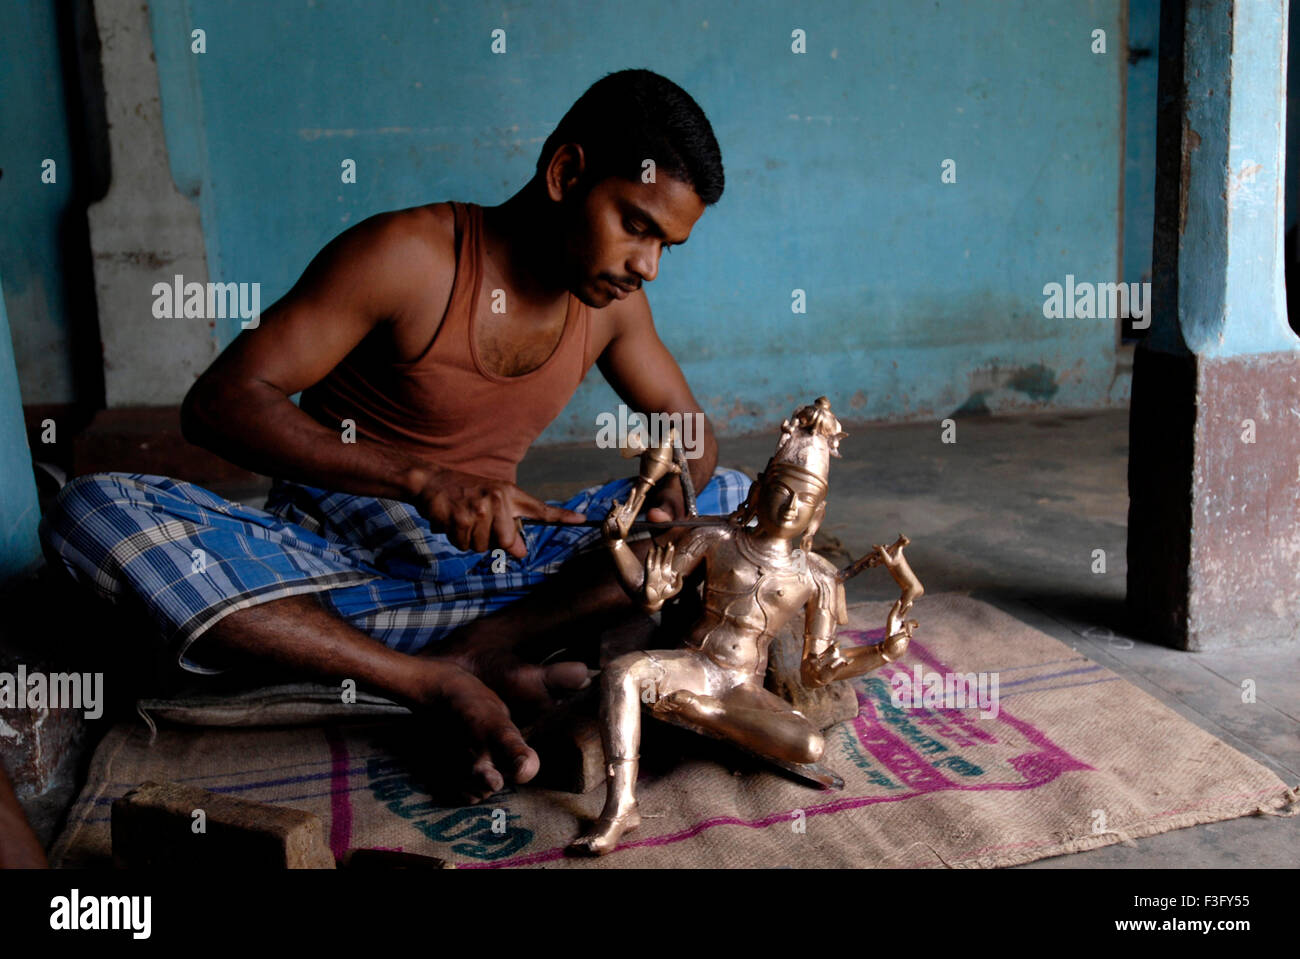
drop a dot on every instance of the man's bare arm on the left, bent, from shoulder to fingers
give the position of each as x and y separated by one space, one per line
388 274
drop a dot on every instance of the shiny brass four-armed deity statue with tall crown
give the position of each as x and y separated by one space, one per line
757 578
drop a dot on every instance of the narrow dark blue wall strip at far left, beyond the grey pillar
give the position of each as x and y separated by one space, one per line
34 127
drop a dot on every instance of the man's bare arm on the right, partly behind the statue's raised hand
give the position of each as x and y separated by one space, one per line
648 379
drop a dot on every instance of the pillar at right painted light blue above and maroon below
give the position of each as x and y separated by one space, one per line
1215 459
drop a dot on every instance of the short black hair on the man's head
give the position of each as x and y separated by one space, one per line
632 116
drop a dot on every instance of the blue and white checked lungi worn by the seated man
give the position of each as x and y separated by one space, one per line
189 557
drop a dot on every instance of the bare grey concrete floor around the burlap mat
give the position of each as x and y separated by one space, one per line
1013 511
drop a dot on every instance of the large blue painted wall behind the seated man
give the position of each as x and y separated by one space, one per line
922 297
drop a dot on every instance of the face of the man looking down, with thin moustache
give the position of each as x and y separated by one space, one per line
619 229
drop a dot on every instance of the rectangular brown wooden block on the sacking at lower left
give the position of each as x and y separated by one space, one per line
155 826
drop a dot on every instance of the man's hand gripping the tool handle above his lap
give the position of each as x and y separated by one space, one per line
479 514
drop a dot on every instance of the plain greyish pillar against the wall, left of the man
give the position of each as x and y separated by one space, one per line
144 231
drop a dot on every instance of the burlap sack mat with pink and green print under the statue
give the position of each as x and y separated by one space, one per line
1074 760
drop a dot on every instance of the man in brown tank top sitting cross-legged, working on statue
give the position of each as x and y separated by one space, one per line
372 553
